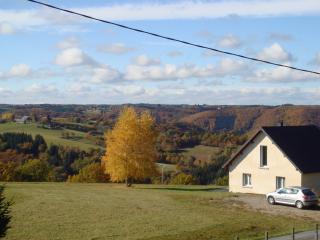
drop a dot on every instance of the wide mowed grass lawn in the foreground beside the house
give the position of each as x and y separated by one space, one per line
153 212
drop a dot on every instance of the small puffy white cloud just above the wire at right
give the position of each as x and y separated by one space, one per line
275 53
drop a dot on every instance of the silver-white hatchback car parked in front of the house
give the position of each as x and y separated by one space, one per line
295 196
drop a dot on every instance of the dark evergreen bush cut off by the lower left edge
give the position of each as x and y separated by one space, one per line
4 213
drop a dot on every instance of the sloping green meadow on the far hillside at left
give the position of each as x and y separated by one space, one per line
51 136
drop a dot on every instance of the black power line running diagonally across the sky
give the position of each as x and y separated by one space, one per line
174 39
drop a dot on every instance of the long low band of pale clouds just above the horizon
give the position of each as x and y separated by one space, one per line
164 94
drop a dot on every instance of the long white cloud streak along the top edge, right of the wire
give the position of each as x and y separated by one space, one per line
203 9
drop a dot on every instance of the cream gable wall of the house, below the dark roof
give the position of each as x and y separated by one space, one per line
263 179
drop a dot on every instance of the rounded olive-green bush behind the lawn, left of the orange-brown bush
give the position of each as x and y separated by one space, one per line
34 170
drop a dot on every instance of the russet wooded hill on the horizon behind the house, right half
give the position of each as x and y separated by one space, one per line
244 119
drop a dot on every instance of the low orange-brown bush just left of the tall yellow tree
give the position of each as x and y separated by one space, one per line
92 173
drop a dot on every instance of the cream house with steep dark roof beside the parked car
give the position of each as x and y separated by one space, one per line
276 157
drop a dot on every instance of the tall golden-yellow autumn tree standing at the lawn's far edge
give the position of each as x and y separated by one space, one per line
131 151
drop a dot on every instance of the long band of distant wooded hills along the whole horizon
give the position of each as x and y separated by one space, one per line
206 117
